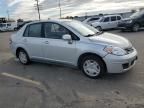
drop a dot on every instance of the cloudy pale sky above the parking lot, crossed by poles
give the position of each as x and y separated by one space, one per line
49 8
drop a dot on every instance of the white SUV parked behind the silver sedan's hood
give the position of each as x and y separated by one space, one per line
107 22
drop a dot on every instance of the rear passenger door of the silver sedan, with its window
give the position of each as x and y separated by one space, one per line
33 40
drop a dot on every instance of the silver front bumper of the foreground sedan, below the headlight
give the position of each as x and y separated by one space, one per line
119 64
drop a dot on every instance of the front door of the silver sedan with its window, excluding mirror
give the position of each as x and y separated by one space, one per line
57 49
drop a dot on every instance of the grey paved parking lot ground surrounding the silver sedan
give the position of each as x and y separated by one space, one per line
50 86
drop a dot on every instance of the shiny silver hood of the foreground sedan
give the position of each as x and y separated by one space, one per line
111 39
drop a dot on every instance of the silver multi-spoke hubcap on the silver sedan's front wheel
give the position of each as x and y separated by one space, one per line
91 68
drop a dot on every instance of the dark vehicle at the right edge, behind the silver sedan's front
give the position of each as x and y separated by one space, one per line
134 22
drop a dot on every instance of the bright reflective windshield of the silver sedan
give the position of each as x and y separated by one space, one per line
82 29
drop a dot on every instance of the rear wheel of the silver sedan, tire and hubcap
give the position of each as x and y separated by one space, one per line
23 57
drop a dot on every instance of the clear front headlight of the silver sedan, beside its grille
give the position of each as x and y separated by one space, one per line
115 50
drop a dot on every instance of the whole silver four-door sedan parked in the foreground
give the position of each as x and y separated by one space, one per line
73 43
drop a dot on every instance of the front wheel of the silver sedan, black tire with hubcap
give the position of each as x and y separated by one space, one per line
94 64
